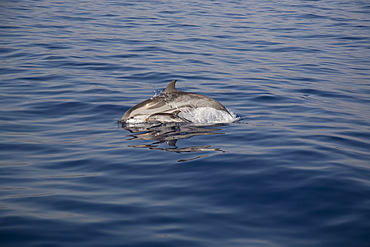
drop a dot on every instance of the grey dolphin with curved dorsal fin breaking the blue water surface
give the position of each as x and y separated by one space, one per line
165 108
